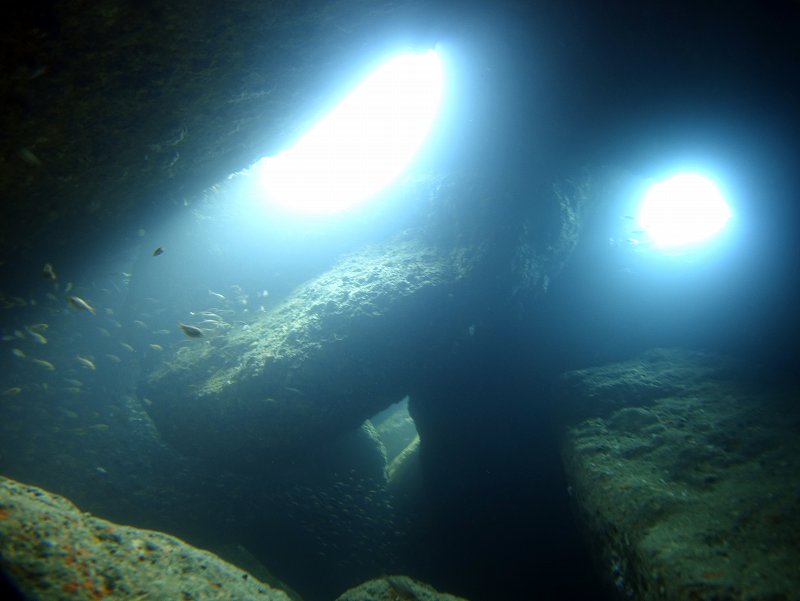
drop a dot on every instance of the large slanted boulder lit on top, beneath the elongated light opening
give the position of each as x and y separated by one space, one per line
337 350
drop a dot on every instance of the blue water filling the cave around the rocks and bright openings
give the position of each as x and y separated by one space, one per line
536 104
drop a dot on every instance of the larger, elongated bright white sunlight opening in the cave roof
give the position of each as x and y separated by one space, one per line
363 144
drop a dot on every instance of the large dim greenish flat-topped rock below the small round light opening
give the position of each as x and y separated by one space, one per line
686 477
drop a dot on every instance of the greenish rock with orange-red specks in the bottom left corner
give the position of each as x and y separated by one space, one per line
51 550
